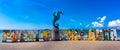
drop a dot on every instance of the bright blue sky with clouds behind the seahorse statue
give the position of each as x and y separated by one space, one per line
37 14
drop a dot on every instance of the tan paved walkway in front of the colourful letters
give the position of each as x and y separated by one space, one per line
62 45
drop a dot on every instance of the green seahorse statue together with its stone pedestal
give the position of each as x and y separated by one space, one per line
56 36
